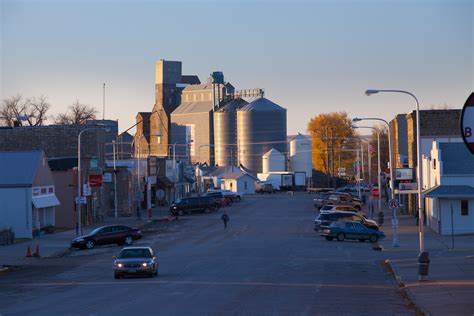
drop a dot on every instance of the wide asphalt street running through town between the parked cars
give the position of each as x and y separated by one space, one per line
269 261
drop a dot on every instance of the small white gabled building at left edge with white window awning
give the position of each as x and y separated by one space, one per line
27 193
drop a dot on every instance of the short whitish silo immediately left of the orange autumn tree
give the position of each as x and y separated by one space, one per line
301 155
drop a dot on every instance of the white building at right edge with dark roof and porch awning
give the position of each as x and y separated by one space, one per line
448 180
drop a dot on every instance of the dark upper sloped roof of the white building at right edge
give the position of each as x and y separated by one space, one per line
456 158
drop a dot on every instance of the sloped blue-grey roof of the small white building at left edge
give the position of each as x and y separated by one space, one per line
18 168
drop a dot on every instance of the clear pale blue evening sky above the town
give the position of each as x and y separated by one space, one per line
310 57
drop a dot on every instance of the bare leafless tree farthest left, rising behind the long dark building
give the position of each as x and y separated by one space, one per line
34 108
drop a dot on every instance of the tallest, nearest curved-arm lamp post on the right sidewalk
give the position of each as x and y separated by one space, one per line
423 257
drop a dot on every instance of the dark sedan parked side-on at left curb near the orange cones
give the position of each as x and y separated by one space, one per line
106 235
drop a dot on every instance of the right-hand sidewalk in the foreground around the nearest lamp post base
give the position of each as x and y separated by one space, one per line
450 288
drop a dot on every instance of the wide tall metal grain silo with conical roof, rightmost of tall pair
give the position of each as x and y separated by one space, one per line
261 126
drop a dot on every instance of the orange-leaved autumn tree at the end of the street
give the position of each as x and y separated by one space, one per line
331 135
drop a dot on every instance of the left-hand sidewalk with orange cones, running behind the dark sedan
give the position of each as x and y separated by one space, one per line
56 245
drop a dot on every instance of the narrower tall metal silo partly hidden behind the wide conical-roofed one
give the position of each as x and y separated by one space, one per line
225 132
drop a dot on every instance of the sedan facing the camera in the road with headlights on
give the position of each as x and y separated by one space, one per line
135 261
